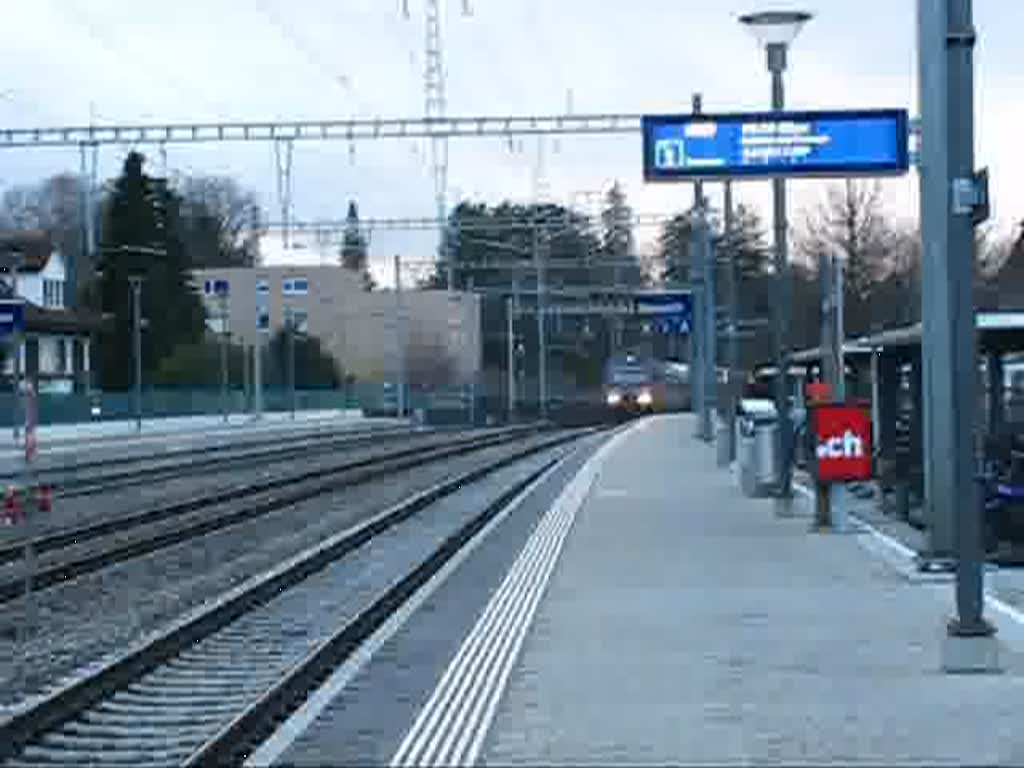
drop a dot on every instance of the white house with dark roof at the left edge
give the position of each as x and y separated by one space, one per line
57 346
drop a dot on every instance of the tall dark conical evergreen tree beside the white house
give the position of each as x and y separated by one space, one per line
143 238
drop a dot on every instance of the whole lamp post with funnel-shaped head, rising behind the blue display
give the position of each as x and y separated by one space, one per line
776 31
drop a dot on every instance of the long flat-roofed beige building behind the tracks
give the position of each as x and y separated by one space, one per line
359 328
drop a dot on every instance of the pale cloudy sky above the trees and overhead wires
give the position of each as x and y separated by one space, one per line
72 62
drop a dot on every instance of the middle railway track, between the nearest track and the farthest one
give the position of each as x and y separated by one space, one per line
71 553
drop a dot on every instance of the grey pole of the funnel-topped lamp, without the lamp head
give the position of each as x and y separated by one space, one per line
777 66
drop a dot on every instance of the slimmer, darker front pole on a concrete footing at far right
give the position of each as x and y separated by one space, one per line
960 42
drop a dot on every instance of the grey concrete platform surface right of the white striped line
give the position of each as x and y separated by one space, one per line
685 624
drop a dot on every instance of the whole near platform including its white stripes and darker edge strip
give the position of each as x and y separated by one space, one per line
657 616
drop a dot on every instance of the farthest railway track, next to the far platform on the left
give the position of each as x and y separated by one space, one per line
89 478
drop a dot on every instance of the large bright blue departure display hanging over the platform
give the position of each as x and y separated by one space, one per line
864 143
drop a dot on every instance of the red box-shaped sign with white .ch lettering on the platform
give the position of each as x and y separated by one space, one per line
844 443
